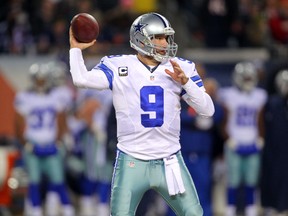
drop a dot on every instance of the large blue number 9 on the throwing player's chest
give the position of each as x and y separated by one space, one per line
152 100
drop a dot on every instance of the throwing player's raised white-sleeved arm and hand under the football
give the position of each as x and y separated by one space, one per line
80 75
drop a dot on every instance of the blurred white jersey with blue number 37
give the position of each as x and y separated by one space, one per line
39 111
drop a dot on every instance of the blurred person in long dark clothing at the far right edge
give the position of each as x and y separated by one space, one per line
274 188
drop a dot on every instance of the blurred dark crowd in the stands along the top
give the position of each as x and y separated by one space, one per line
40 27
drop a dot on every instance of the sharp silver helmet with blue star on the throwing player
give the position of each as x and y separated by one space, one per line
145 28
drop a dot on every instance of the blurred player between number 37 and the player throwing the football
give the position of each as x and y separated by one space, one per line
88 126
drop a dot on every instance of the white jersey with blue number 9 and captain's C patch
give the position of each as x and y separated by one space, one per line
147 104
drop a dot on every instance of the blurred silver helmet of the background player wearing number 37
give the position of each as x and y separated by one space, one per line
40 77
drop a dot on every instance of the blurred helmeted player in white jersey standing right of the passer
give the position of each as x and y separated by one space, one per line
243 132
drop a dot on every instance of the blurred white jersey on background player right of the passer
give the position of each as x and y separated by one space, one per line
243 111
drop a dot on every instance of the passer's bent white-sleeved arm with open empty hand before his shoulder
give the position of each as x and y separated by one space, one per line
195 94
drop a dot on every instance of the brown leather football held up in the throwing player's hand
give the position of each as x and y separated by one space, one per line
85 27
